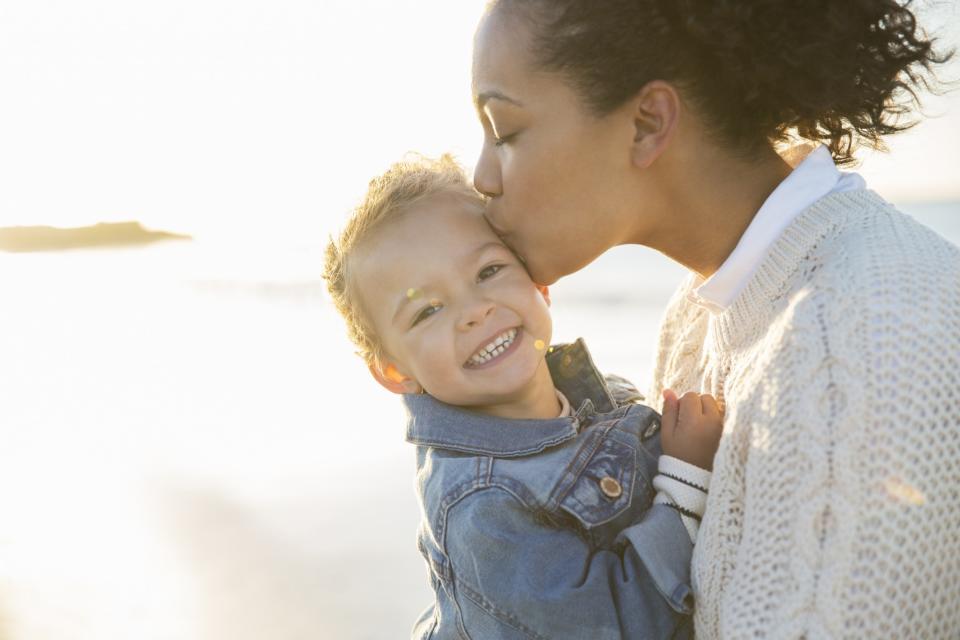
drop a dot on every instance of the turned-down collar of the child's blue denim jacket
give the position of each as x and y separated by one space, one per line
437 424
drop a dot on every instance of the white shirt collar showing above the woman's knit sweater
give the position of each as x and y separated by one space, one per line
815 177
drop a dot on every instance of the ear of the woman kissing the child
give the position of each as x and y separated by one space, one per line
656 112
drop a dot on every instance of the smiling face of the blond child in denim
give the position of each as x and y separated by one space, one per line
439 286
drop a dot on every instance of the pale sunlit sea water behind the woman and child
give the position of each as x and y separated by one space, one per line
190 449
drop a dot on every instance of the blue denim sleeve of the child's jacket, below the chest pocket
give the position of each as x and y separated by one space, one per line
516 577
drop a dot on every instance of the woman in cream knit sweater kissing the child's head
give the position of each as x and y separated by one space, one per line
827 321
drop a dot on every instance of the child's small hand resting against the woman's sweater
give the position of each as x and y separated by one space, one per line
691 427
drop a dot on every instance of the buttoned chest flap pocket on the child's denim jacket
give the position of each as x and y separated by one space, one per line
603 487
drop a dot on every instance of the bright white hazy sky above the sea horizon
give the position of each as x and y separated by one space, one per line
269 117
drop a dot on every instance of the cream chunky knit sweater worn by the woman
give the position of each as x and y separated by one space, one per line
834 508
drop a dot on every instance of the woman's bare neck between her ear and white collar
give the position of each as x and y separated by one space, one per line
707 199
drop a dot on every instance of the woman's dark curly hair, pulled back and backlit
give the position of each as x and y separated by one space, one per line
844 72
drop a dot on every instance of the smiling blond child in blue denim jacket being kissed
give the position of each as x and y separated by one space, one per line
536 475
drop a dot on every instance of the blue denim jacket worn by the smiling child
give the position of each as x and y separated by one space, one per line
545 528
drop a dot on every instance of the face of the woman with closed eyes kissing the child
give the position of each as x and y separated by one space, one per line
555 174
